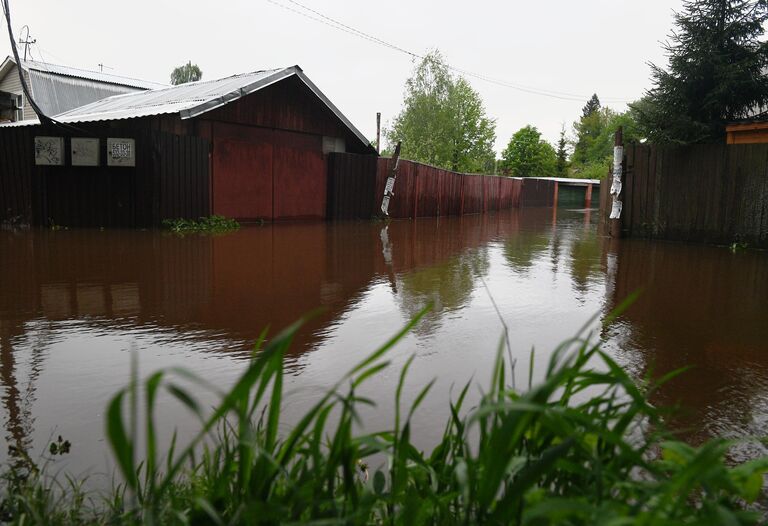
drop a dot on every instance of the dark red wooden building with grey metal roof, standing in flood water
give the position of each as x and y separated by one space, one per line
252 146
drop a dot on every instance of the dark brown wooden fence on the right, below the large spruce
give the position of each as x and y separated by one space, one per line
714 193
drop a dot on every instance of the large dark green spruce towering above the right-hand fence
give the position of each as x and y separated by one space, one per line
715 72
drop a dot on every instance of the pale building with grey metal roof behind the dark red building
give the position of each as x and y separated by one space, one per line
57 89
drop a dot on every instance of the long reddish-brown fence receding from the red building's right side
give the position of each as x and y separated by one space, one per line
356 186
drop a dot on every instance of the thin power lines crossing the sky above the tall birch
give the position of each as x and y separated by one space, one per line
335 24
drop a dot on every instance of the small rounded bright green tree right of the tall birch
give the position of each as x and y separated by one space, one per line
528 155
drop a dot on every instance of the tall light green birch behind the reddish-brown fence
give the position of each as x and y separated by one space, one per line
443 120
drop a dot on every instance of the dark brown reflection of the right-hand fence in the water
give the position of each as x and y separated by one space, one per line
705 308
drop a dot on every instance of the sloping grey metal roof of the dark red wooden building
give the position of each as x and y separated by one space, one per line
192 99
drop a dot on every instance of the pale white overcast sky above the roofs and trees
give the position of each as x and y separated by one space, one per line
564 46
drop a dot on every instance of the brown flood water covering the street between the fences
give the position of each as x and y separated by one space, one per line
76 305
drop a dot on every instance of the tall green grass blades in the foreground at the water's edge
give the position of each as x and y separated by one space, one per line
583 446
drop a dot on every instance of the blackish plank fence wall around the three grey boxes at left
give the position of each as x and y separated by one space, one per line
170 180
